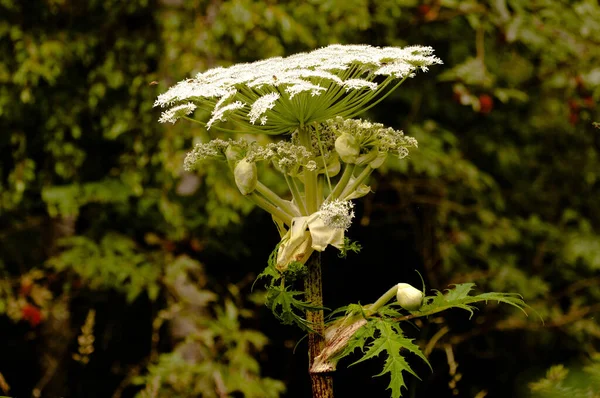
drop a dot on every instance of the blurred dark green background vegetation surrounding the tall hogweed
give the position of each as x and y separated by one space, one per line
501 192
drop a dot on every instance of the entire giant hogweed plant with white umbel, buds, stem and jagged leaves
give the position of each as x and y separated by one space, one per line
326 158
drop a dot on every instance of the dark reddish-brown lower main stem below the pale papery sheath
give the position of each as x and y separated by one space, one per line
322 383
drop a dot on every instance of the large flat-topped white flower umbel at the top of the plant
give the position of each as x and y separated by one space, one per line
278 95
